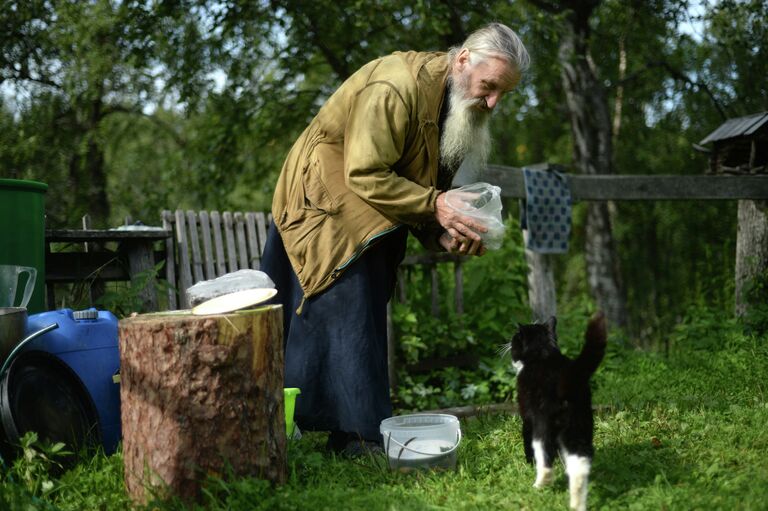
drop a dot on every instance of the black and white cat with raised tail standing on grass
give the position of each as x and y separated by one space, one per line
555 401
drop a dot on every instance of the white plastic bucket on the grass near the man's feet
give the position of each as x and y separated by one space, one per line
426 440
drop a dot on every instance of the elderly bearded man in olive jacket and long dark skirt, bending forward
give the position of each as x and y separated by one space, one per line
373 164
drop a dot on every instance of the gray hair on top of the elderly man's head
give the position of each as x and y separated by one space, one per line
495 39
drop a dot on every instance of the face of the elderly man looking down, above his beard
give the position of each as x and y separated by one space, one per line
486 81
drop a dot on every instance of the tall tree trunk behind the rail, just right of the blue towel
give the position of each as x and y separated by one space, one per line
591 128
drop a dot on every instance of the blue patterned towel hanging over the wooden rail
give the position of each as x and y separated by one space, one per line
546 212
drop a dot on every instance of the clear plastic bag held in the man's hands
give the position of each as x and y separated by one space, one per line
481 201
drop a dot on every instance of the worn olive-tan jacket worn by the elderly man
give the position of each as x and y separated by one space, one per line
367 163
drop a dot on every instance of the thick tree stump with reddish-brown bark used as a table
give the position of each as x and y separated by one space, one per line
201 395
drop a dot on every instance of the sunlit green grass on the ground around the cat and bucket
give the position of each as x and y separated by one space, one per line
687 431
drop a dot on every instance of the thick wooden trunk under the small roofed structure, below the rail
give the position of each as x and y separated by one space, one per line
751 254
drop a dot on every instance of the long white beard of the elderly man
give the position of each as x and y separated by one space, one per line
466 133
